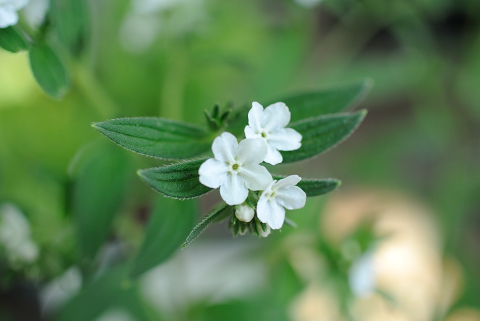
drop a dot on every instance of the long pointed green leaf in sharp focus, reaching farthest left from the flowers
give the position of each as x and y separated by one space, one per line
156 137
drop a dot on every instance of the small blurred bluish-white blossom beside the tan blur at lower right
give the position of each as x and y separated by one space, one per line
361 276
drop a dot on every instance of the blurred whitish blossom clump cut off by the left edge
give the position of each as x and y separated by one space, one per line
15 236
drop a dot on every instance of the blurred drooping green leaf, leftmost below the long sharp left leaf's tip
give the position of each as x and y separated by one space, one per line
98 192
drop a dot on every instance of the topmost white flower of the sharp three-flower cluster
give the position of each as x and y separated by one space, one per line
269 124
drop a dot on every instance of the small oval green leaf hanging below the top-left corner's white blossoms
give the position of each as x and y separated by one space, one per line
48 70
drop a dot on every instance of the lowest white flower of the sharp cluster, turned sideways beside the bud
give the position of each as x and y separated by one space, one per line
278 196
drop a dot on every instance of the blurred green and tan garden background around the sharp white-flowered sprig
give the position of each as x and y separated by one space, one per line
410 173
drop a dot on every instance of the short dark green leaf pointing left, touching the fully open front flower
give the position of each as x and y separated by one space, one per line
177 180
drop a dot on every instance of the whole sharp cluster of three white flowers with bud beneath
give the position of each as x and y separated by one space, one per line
236 167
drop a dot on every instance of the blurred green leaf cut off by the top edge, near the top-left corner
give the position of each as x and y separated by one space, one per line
71 21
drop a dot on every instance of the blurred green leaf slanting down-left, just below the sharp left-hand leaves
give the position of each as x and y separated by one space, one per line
169 225
